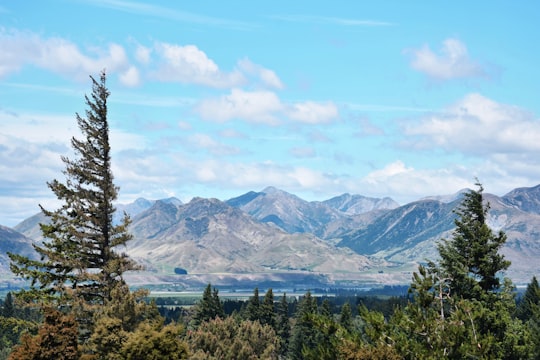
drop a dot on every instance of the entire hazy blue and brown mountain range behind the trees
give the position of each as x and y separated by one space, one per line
273 235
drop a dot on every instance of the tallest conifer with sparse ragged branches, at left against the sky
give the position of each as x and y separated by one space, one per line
78 259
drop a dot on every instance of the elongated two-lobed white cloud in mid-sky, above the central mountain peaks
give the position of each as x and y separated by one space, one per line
264 107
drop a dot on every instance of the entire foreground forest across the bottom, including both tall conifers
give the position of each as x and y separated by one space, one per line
78 306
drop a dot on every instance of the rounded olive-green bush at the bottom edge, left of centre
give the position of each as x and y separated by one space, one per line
232 339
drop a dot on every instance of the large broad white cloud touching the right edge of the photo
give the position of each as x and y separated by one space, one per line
477 126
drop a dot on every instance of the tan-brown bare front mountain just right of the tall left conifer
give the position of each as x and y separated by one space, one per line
208 235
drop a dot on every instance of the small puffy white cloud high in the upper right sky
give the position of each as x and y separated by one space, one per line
452 62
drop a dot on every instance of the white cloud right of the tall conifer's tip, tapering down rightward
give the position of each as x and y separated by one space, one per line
189 64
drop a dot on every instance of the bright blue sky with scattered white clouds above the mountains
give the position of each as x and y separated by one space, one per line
404 99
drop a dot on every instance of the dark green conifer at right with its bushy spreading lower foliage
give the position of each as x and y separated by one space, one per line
459 308
